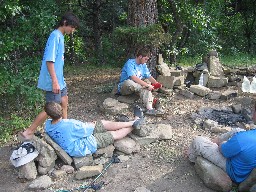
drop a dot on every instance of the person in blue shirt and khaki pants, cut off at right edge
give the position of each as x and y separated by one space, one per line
234 152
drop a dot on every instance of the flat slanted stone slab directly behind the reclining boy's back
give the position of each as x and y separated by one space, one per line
59 151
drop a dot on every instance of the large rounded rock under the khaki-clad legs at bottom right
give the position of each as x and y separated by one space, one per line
212 176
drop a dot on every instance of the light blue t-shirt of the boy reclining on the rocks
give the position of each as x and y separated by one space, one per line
73 136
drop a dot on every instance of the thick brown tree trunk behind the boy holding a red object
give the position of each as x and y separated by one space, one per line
144 13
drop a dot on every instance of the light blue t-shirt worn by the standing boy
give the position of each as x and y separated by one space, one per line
54 51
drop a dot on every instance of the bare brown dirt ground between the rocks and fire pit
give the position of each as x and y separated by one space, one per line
159 167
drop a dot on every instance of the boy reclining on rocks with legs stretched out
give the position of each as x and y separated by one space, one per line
81 138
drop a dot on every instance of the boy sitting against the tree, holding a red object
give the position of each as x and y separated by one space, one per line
133 74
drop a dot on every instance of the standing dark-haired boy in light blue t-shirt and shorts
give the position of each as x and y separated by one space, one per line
51 78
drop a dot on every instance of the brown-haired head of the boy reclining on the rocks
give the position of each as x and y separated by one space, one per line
53 109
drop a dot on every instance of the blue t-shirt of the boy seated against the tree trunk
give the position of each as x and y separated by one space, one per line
132 68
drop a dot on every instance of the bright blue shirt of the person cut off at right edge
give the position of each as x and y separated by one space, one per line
240 151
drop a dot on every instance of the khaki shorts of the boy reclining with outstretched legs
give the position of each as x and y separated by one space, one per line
102 136
